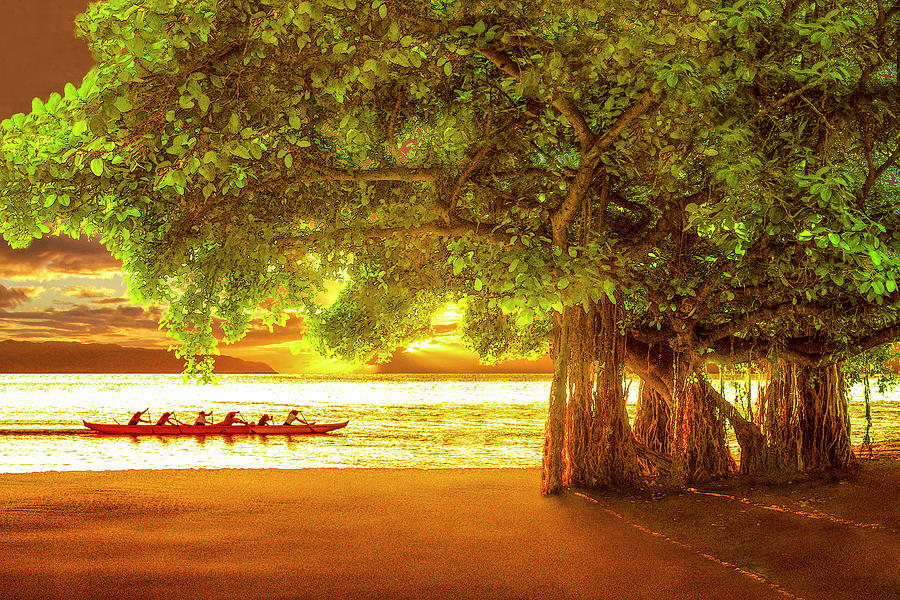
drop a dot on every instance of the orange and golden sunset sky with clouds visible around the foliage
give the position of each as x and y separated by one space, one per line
61 289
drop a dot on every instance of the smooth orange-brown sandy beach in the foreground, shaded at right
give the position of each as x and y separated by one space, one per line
366 533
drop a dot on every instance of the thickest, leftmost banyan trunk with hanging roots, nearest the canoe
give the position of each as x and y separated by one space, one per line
587 402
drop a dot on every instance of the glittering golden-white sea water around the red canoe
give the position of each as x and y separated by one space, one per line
395 421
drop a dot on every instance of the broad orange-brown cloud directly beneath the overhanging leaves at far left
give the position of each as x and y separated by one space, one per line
57 257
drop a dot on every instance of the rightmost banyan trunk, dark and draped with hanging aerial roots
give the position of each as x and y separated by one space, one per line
803 414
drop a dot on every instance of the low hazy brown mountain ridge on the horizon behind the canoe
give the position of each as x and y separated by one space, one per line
74 357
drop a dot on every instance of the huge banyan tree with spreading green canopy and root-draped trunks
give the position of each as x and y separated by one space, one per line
632 185
